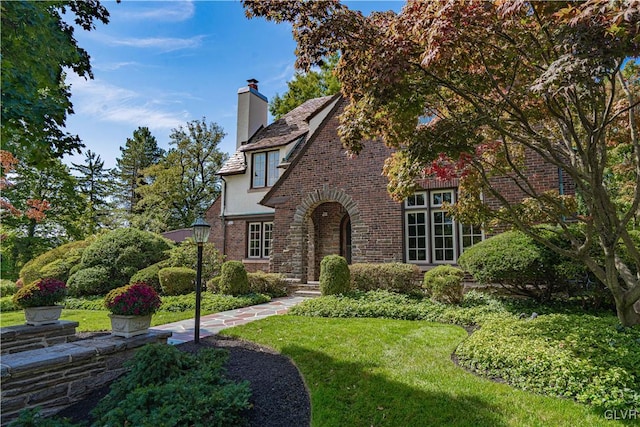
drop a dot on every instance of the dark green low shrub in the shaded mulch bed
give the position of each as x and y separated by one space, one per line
165 386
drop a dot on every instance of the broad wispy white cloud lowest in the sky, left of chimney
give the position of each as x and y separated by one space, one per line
110 103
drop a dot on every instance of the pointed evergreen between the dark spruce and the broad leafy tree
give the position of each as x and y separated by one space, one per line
139 153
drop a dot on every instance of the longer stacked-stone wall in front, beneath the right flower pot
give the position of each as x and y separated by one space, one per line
57 376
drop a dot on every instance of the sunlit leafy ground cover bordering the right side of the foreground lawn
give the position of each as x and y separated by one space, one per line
561 351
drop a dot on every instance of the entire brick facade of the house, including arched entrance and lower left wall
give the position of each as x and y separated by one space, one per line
328 203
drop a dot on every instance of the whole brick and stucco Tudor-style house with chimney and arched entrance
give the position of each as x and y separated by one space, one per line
291 196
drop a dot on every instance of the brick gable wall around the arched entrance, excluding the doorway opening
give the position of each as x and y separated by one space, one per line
322 174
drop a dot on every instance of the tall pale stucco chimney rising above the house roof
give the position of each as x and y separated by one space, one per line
252 111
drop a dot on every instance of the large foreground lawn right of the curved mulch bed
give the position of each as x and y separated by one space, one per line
380 372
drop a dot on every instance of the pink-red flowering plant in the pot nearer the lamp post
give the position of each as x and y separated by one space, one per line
137 299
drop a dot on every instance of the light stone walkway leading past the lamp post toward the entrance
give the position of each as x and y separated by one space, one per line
213 323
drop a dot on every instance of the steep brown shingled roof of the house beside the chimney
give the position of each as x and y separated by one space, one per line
287 129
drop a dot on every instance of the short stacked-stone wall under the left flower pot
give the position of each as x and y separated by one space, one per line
25 337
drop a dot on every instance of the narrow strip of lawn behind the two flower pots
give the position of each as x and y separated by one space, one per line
97 320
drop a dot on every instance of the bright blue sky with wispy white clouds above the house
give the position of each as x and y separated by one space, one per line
162 64
